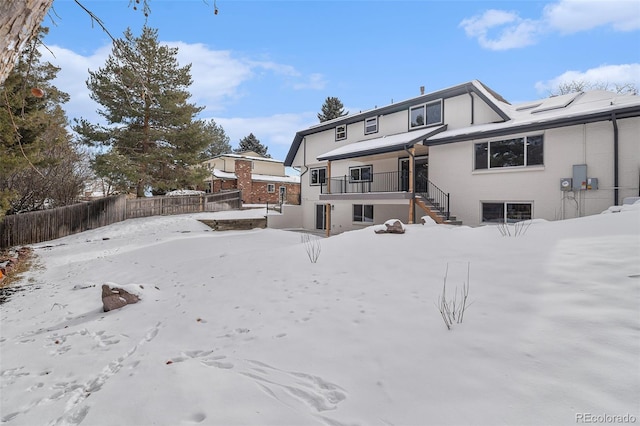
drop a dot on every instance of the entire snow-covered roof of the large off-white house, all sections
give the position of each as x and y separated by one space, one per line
557 111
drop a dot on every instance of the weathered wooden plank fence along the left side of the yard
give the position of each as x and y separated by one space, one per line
45 225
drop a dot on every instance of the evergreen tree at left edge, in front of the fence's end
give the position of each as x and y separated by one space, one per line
39 164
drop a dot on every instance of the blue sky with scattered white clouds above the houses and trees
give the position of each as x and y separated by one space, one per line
266 67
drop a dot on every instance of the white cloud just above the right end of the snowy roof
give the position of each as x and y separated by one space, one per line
605 75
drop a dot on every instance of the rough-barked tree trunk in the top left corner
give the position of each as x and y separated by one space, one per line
19 22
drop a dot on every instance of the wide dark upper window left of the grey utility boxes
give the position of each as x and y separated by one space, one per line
517 152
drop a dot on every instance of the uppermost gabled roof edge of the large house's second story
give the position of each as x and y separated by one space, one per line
495 101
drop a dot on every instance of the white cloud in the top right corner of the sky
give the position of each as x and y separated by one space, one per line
501 30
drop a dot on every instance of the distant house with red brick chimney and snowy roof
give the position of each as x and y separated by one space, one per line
261 179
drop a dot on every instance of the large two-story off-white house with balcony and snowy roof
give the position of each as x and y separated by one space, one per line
465 155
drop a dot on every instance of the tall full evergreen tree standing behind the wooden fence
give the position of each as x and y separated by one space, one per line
151 127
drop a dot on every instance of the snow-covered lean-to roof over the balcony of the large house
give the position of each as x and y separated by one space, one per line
381 145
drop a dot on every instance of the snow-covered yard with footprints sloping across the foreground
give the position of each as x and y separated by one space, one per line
241 328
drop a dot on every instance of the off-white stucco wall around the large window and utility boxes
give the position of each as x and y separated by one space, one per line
451 168
